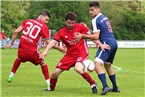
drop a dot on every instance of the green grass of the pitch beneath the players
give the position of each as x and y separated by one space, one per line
29 80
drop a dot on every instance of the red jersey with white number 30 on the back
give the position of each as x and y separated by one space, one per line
33 31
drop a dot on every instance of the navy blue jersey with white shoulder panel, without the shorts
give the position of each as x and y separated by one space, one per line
101 24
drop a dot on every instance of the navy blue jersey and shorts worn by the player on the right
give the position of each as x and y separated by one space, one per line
101 24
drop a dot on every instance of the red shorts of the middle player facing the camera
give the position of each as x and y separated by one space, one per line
69 61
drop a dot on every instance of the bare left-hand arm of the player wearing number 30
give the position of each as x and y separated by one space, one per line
14 36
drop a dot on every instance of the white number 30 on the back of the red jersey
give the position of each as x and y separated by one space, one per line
30 30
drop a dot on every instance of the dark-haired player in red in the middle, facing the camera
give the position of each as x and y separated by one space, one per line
77 51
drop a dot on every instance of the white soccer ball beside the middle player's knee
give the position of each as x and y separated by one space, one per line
89 65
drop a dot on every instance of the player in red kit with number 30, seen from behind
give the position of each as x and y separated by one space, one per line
32 31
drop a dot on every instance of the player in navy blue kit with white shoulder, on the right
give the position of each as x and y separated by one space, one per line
103 32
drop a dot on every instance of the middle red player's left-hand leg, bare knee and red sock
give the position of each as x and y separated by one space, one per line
54 78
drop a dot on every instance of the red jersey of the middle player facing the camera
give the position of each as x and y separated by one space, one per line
67 37
